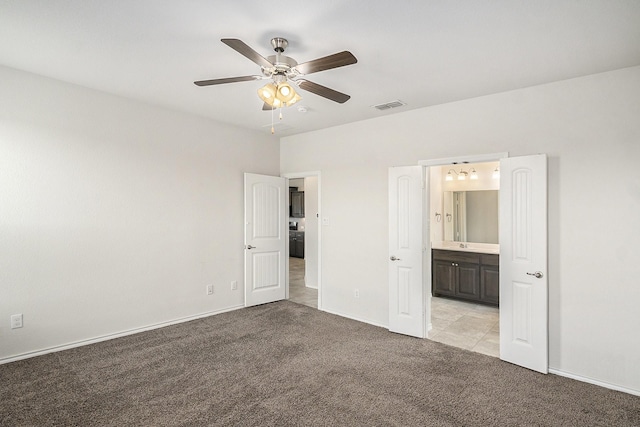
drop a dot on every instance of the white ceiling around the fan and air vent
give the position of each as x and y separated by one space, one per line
422 52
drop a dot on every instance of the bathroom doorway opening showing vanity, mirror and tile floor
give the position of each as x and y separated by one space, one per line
463 212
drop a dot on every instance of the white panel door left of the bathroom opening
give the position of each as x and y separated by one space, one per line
406 293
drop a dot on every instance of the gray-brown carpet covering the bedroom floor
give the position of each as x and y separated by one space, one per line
287 364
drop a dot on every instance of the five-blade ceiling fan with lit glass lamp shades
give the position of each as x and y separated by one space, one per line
283 70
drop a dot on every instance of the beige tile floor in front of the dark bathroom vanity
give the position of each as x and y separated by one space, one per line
465 325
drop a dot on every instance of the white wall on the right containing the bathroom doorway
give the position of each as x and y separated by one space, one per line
589 129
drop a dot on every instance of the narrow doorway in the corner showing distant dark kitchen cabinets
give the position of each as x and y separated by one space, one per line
303 261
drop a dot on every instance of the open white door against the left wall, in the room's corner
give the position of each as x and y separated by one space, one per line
265 238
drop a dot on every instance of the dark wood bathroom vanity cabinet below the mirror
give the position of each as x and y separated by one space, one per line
466 275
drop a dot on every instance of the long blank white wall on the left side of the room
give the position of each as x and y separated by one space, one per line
114 215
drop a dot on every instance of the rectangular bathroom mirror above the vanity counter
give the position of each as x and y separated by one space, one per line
471 216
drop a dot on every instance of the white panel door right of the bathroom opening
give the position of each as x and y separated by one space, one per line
523 262
